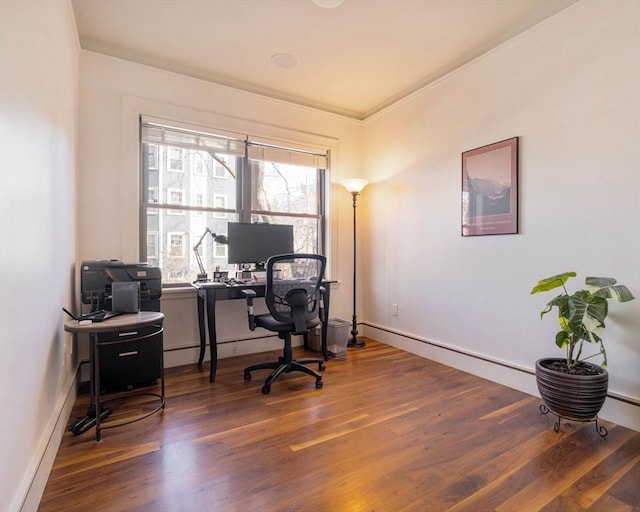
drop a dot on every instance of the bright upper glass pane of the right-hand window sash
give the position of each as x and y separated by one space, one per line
284 188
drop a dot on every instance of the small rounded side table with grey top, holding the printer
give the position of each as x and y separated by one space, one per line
125 325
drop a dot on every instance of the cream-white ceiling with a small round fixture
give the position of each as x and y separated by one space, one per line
352 60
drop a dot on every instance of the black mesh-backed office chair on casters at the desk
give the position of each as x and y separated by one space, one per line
293 296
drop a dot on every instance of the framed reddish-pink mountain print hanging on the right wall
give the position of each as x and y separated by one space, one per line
490 189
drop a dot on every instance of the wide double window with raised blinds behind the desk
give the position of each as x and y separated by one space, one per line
223 177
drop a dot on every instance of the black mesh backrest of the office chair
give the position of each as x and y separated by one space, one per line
292 292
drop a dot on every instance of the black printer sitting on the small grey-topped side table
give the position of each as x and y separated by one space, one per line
97 278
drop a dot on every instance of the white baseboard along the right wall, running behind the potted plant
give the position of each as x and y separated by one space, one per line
619 410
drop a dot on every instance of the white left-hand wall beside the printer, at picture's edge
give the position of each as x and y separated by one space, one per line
38 118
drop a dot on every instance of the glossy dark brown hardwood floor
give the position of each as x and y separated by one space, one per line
389 431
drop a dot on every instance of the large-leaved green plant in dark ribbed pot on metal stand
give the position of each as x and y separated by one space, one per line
572 387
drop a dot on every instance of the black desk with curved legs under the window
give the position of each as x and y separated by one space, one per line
209 293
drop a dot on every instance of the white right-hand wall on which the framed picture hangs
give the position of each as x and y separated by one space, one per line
570 89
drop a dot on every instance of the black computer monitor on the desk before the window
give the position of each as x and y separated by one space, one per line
256 243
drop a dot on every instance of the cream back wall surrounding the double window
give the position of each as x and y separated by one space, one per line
113 93
